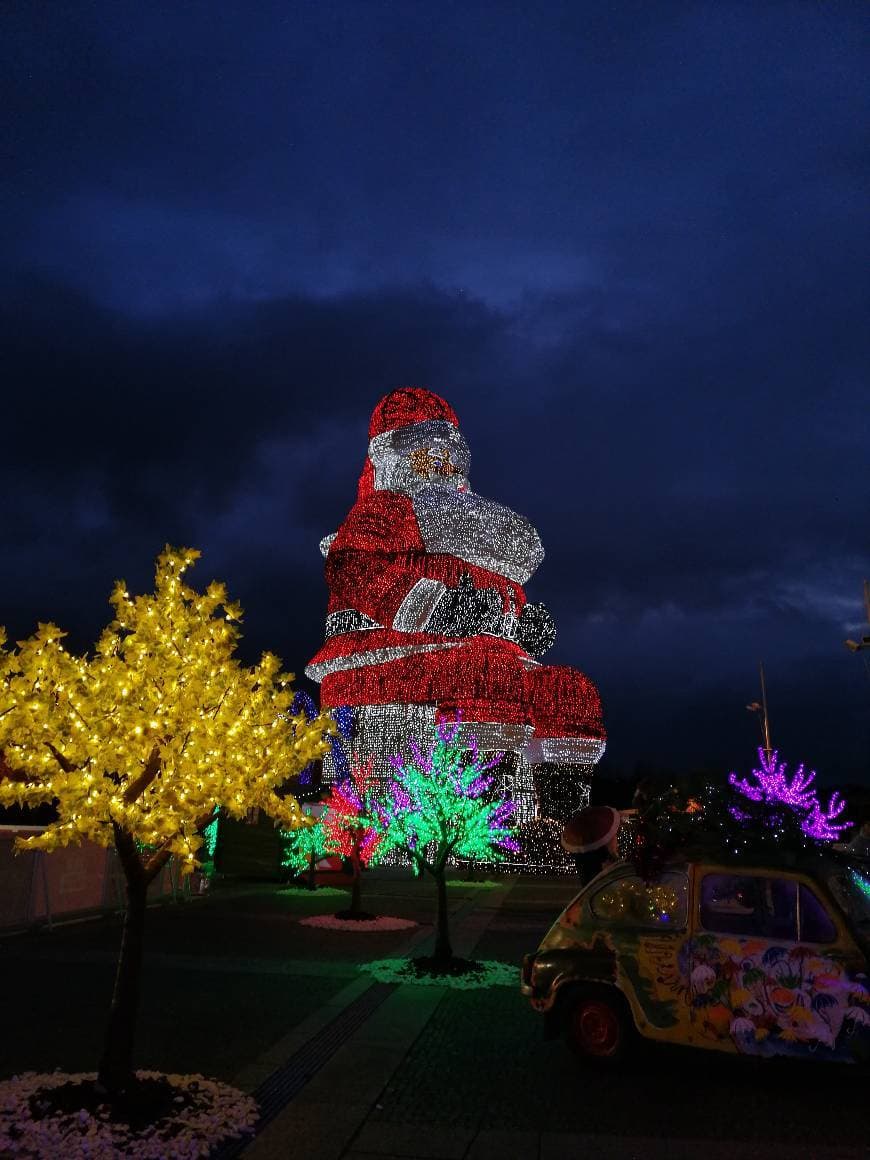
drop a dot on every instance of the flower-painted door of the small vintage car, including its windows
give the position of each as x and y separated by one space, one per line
770 969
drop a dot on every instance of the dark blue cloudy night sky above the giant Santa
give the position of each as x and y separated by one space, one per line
628 242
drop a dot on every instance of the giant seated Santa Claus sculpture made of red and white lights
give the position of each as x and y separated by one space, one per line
427 619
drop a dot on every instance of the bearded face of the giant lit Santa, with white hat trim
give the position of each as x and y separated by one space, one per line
432 453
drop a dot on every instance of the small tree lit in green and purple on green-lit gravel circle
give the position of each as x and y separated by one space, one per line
438 806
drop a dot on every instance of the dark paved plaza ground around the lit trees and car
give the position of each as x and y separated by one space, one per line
237 989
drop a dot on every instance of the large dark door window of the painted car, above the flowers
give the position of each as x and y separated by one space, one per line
751 905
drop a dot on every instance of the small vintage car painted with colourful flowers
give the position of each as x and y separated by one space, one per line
757 959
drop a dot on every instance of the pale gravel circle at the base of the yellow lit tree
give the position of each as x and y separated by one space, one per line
213 1113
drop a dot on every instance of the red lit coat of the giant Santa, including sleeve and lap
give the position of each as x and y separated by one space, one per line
375 561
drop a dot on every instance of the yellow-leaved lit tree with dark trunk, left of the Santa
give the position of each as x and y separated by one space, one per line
139 745
